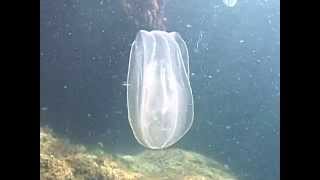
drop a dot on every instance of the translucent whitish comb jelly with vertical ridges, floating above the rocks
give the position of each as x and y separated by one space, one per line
159 95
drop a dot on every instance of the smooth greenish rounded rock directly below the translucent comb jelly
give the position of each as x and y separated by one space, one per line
177 164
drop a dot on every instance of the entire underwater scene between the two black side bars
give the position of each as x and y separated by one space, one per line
160 90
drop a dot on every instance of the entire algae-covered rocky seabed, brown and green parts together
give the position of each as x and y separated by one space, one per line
61 160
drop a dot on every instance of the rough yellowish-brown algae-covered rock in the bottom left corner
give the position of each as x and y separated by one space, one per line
60 160
